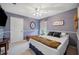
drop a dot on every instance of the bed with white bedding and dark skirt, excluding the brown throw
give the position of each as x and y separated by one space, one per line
42 49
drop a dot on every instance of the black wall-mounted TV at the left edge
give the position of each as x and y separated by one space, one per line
3 17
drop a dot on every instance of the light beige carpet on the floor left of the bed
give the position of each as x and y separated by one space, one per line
20 48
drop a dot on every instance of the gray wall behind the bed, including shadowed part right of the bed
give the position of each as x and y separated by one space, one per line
68 26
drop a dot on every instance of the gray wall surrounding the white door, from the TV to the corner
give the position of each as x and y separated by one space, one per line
27 30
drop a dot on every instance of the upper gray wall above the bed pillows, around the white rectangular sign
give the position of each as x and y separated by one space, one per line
67 17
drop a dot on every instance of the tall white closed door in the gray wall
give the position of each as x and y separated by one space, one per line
16 28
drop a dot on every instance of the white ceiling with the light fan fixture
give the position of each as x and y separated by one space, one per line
45 9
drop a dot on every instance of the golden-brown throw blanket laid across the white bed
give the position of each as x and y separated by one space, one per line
45 41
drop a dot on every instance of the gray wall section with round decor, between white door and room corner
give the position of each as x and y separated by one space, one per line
28 30
